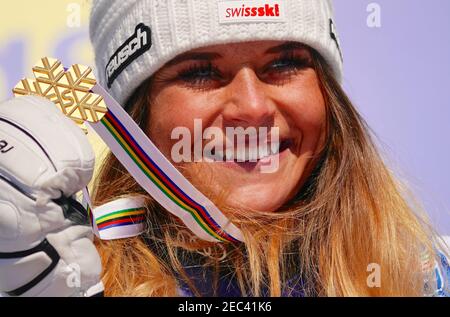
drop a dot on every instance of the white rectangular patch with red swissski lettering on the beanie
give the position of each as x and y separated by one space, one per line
251 11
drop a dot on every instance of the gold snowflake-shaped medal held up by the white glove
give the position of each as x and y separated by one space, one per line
69 89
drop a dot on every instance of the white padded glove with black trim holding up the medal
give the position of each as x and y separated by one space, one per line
46 244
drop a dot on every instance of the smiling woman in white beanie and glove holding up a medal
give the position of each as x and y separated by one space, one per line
326 219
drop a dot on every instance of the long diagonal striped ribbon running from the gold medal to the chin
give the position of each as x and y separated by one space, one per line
151 169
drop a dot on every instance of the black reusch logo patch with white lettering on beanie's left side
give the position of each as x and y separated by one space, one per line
132 48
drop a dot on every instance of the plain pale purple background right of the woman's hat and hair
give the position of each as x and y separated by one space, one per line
398 76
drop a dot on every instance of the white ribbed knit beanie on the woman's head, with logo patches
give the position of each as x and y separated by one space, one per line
132 39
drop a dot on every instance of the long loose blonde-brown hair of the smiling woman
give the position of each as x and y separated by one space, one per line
350 213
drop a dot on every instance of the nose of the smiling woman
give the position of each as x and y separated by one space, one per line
248 103
